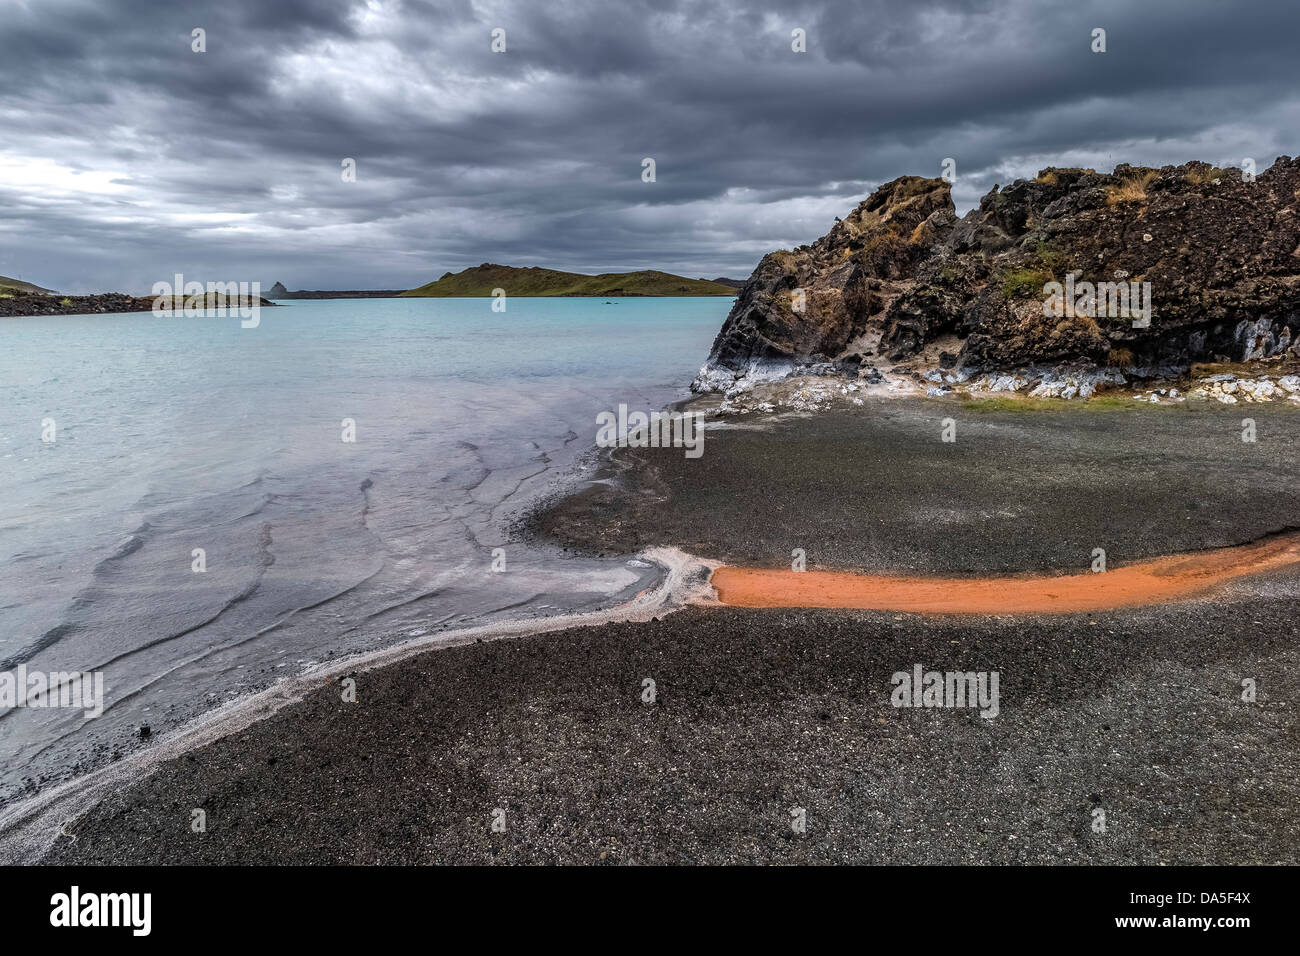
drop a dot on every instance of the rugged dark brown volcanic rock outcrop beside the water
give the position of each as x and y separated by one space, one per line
903 280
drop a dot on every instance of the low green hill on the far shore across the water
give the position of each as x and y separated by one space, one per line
480 282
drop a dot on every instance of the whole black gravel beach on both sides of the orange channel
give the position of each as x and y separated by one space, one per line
1138 715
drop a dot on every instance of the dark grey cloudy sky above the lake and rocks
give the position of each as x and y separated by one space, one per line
125 157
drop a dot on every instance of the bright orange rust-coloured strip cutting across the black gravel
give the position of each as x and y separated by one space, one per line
1173 578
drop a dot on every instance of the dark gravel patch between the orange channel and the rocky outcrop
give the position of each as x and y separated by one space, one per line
877 488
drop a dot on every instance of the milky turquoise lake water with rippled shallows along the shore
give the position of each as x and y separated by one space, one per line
175 435
